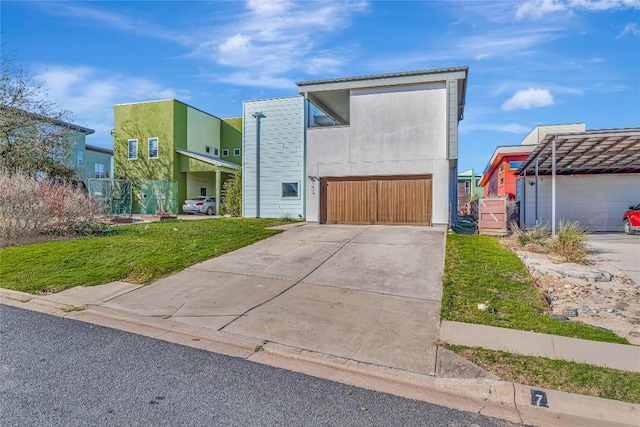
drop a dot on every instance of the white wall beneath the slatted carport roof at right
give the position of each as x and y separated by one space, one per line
596 201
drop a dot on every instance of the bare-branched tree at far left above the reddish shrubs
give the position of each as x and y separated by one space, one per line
35 135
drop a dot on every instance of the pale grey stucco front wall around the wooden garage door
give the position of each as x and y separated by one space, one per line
393 131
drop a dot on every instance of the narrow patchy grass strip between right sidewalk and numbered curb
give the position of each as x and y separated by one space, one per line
562 375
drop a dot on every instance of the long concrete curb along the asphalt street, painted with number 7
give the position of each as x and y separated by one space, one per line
500 399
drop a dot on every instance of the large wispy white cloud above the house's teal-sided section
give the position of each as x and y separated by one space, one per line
274 38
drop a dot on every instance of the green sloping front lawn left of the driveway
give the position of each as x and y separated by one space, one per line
140 253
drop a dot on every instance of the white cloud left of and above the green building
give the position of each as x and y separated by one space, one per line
90 94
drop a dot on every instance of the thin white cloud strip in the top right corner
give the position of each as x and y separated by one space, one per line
538 8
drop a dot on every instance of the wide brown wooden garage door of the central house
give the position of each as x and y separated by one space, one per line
376 200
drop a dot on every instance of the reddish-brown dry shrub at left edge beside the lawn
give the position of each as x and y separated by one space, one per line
38 209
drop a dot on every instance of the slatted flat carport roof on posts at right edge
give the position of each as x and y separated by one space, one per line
604 151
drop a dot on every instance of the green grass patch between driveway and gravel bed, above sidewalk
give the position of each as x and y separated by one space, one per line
479 270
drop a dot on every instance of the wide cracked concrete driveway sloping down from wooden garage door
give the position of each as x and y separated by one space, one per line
367 293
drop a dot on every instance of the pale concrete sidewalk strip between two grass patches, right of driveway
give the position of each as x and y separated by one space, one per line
627 357
